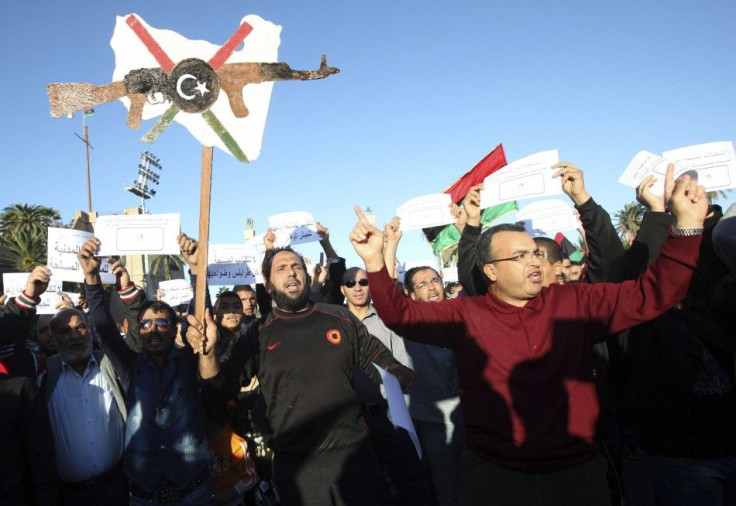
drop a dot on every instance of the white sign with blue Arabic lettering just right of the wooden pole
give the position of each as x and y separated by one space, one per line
227 264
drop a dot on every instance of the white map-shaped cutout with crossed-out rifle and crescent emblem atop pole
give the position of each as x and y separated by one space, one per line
220 95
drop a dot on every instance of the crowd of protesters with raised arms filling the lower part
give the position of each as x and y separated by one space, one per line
532 381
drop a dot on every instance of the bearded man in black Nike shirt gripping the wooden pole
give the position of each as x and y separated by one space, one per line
303 354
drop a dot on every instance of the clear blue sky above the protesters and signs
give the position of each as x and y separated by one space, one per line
426 89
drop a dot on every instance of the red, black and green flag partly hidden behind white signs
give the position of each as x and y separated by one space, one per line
442 237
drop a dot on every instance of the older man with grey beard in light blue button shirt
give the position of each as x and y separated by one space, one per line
87 412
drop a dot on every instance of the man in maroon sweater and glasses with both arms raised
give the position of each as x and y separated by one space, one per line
523 355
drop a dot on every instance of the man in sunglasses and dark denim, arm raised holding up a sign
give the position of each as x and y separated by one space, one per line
166 454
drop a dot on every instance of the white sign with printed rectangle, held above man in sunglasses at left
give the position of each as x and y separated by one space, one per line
142 234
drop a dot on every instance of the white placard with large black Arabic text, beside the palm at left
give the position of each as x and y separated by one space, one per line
63 246
